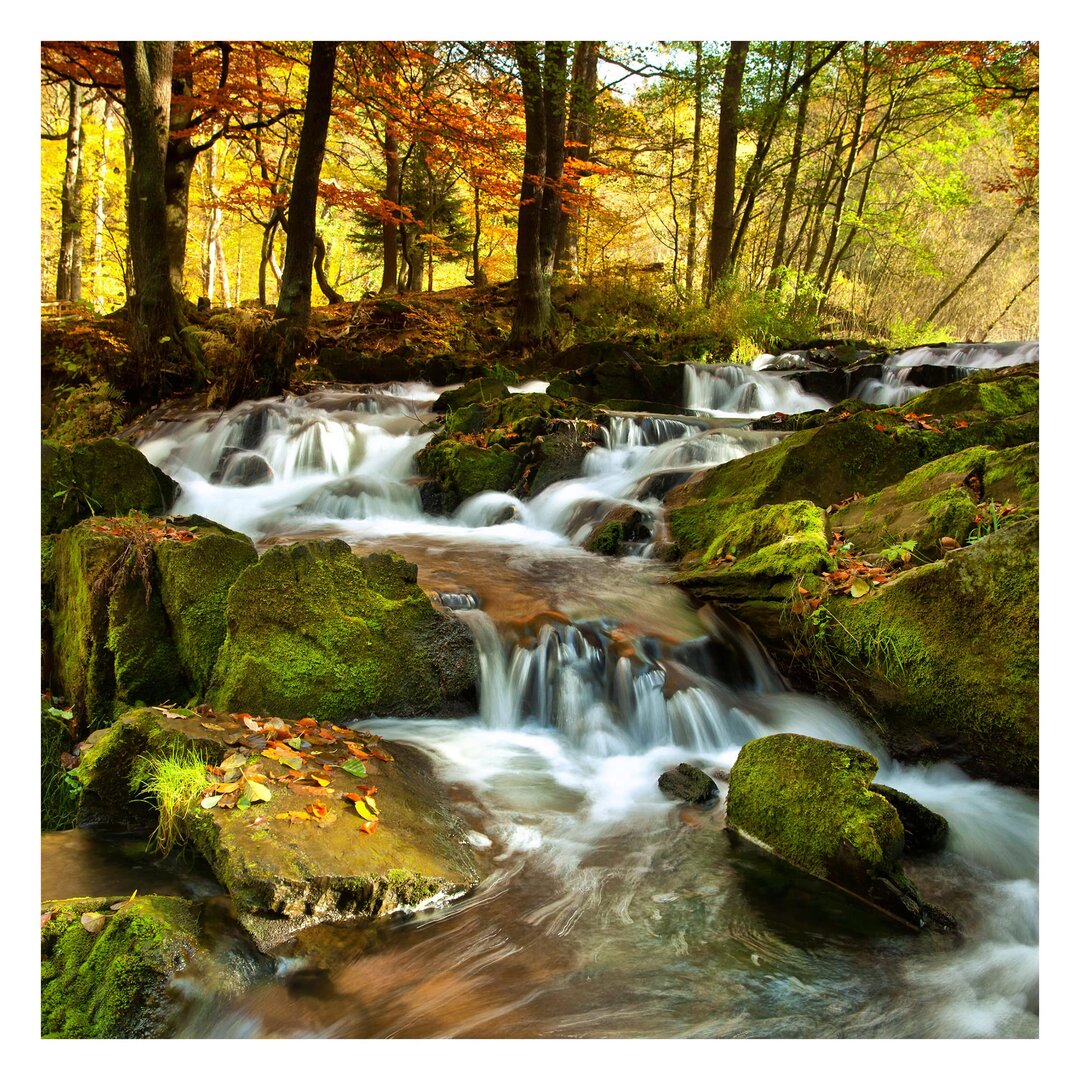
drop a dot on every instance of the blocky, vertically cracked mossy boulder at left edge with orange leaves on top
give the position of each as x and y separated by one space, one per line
138 611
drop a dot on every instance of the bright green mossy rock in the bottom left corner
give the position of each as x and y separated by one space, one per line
114 984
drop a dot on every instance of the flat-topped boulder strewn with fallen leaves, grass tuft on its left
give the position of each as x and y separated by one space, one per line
299 853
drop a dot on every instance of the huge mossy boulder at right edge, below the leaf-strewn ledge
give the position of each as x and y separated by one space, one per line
946 657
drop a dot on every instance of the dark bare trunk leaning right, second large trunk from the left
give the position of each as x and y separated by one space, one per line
294 303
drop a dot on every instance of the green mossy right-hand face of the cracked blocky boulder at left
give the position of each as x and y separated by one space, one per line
196 577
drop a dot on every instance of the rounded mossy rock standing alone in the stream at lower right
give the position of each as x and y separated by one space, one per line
808 802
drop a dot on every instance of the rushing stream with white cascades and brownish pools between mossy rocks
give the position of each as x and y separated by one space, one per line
607 910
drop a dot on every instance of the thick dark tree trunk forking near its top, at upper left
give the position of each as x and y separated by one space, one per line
156 316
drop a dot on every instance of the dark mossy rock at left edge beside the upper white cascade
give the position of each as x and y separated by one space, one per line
107 477
